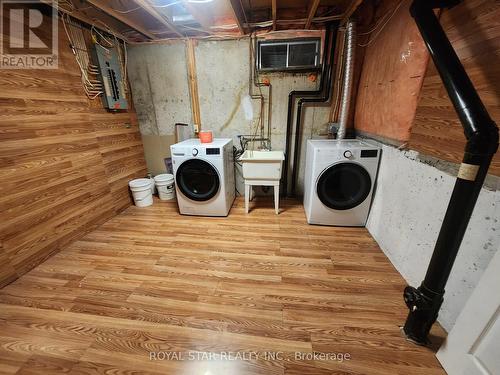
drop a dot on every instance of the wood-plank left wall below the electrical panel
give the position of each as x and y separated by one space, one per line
64 163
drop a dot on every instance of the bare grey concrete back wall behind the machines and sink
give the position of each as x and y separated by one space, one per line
158 77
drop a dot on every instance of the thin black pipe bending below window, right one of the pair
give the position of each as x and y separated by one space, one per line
302 93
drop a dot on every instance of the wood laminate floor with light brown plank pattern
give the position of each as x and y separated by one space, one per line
248 294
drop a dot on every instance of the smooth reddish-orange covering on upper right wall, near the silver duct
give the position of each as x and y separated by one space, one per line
392 74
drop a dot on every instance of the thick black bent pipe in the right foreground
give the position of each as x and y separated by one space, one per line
481 132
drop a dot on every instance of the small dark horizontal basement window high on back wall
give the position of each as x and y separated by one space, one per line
285 55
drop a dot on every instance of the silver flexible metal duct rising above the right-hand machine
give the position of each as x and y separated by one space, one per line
350 48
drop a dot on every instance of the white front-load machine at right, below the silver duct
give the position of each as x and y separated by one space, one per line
339 180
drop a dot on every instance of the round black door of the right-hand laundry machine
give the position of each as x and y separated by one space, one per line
343 186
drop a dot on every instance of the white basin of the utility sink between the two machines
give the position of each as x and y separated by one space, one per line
262 165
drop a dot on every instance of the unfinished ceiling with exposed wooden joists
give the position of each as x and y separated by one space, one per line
151 22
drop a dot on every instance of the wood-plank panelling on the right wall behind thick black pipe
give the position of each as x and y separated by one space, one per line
474 30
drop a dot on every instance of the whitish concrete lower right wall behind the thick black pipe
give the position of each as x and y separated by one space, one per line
406 215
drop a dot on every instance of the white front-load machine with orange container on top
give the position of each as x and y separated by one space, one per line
204 176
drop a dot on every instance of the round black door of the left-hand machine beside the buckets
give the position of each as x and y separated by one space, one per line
198 180
